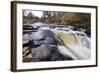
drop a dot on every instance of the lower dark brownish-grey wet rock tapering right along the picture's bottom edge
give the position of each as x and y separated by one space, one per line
48 53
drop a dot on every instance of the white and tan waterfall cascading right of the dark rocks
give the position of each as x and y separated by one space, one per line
80 50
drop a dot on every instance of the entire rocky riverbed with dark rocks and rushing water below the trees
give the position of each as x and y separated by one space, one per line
55 44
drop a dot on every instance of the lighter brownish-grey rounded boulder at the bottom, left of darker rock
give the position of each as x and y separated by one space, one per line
40 53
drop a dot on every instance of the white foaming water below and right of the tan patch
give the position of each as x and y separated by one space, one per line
81 49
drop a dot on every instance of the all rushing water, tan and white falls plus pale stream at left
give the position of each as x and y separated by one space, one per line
74 43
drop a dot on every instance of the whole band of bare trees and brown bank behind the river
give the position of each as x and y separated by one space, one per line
79 20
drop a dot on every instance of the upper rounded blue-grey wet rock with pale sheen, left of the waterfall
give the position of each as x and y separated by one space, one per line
45 36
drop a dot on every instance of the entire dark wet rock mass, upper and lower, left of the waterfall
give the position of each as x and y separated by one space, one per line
43 47
